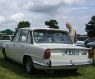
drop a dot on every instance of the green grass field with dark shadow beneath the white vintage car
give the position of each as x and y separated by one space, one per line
12 70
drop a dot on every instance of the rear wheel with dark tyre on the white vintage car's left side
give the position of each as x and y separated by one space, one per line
29 65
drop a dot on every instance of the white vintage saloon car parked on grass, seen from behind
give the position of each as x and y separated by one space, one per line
46 49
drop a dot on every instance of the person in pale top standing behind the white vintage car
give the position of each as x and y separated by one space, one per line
72 32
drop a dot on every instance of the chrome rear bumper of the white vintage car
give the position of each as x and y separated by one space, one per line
59 67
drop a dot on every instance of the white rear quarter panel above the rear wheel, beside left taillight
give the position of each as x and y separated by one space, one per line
35 52
